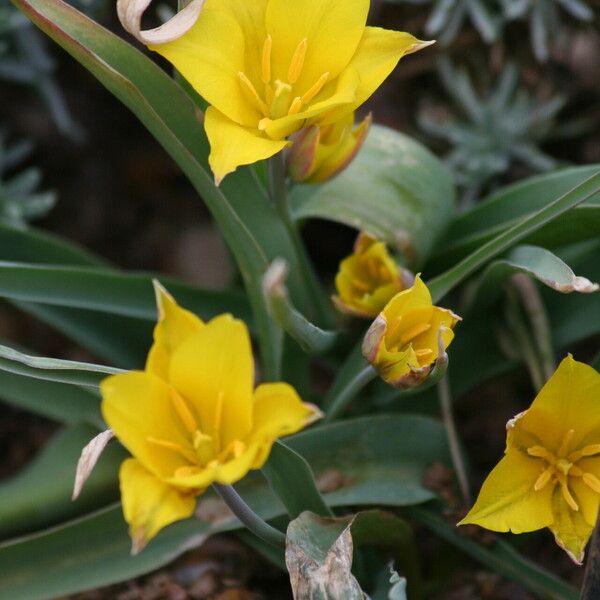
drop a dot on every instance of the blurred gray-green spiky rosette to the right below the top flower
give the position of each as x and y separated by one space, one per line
502 126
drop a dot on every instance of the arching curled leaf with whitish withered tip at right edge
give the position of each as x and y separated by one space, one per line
538 263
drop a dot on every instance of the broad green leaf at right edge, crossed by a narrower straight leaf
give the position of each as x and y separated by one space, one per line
509 205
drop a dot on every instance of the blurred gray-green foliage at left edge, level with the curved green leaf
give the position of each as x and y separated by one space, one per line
20 200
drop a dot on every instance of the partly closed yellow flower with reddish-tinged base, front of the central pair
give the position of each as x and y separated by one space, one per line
407 337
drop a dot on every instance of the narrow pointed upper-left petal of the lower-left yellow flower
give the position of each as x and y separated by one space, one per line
175 325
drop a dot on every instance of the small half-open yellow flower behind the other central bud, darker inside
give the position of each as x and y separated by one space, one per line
368 278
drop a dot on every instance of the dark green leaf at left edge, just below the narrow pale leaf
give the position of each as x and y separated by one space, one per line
61 402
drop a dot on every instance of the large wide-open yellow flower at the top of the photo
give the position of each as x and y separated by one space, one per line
269 68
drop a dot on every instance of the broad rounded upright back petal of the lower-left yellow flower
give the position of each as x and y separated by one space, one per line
214 371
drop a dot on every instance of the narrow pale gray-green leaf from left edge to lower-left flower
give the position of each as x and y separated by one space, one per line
52 369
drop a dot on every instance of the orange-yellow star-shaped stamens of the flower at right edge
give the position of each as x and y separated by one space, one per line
562 465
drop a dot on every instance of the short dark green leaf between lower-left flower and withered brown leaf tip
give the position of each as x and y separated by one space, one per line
293 481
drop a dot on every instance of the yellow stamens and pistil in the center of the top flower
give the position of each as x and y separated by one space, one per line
279 98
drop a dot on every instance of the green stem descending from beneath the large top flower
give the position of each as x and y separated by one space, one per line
279 196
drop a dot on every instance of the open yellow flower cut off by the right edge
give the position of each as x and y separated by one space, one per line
550 473
